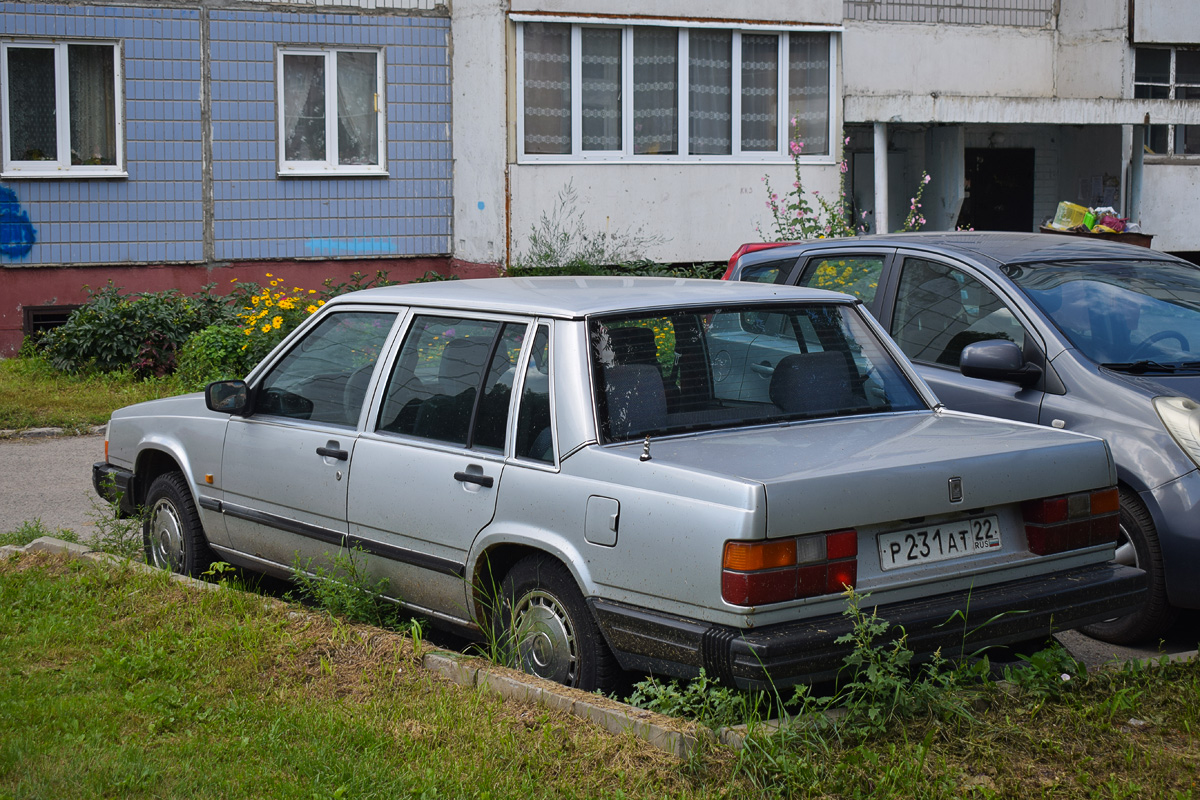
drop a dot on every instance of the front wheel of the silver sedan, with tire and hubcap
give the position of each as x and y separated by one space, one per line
172 533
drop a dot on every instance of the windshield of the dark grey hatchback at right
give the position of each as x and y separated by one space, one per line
1141 315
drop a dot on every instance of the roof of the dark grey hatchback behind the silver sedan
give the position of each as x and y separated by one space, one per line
998 248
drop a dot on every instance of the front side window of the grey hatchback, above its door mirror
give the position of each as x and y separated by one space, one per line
941 310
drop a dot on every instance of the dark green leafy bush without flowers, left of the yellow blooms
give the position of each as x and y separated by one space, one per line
117 332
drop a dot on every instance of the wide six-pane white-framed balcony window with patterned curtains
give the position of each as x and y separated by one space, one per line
650 93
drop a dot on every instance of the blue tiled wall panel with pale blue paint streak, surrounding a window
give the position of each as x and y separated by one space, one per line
259 215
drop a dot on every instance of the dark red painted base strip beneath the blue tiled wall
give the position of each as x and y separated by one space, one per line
21 287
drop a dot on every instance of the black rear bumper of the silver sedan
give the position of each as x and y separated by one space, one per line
807 651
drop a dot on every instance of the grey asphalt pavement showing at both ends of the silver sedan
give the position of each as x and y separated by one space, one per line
50 479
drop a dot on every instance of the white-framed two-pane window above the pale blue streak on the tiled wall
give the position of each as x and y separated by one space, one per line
331 112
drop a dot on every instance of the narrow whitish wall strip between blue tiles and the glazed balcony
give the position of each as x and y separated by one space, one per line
479 130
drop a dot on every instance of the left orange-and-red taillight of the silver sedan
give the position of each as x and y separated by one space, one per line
758 574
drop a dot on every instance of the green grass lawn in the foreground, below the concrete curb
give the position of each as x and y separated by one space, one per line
116 683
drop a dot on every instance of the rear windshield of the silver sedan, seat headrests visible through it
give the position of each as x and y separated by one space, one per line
706 369
